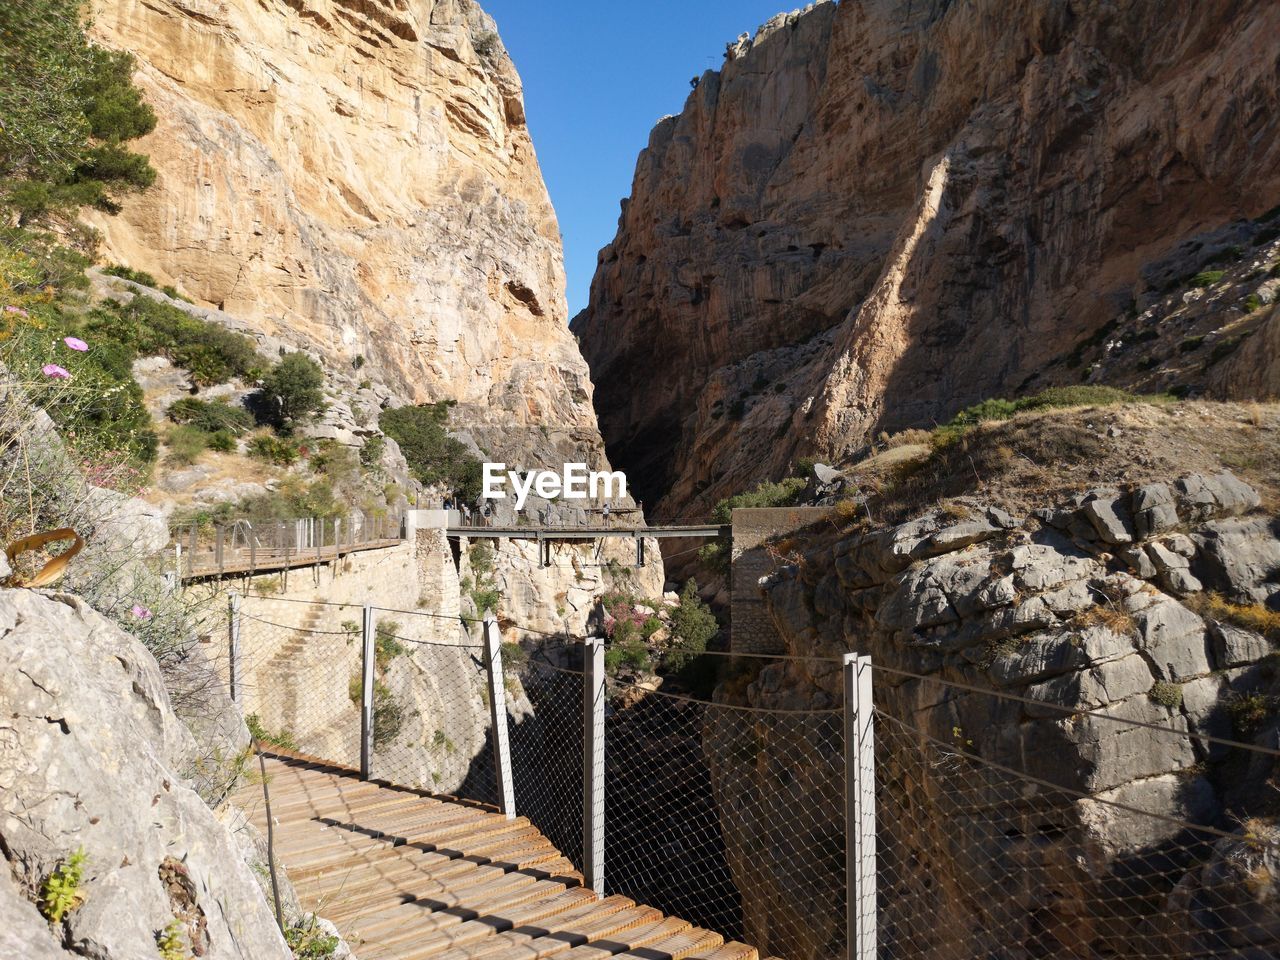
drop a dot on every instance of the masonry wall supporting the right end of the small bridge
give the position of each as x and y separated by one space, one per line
753 630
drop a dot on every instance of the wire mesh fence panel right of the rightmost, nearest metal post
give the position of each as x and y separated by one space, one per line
1026 829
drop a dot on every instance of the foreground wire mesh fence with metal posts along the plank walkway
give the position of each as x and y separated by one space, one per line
789 802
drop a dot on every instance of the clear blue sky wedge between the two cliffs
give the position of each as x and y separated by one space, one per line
597 77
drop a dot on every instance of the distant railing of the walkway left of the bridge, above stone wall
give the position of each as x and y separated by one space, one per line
248 547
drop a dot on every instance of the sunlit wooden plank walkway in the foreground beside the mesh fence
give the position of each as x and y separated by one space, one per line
408 876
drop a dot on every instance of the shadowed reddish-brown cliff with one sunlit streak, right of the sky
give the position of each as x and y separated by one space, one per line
879 213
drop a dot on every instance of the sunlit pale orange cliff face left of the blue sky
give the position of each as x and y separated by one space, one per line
359 180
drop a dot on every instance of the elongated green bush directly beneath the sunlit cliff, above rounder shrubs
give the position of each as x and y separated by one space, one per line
213 354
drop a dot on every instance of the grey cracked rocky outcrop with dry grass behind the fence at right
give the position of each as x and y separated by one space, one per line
1092 606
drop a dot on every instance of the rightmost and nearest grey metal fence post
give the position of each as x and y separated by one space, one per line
860 808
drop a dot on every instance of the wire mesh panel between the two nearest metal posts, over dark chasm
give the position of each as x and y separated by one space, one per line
729 816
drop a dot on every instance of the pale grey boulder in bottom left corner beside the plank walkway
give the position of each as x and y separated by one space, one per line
93 758
